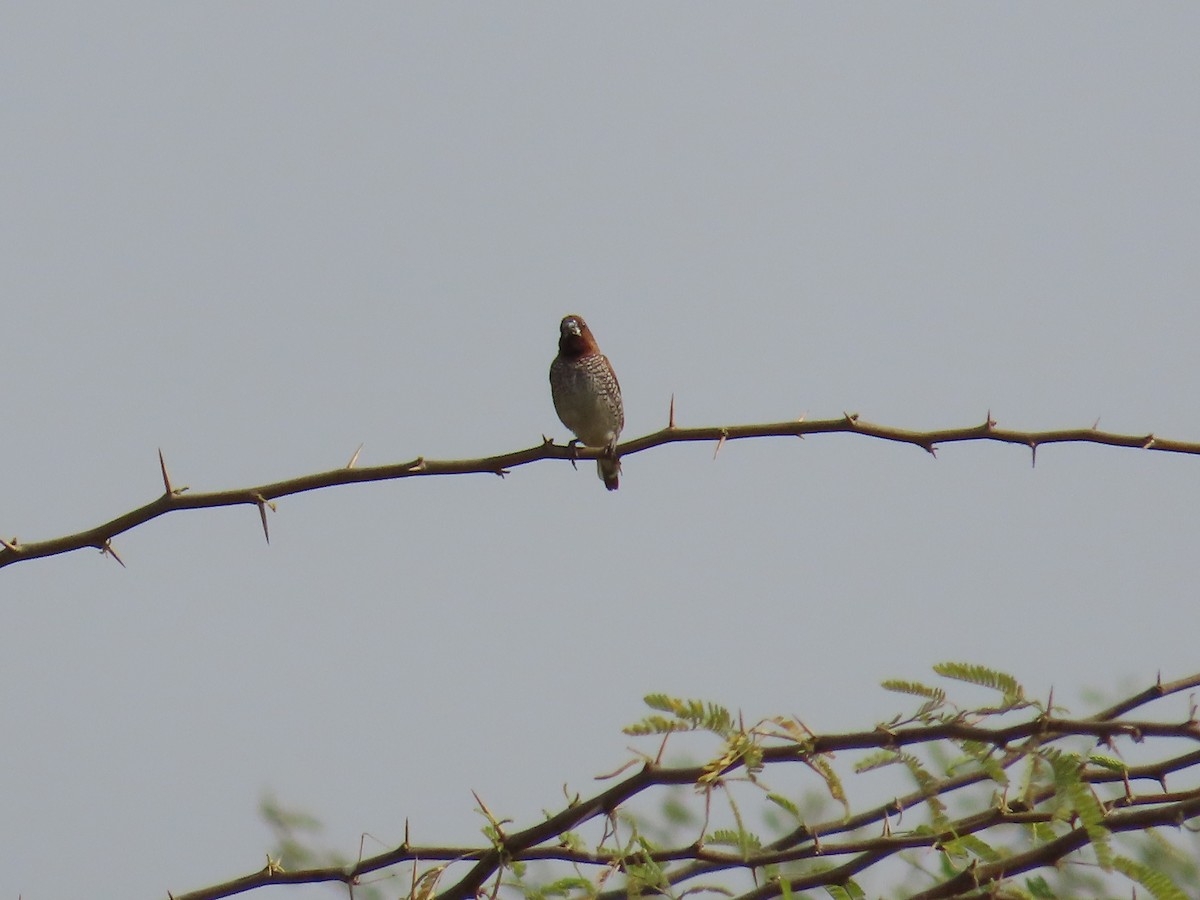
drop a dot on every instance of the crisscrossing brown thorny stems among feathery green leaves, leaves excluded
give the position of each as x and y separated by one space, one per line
839 844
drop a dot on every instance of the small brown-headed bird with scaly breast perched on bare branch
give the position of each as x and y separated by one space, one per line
587 397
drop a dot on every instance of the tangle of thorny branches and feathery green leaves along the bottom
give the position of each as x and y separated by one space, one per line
951 817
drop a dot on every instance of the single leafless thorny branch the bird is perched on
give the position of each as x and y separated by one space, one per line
261 496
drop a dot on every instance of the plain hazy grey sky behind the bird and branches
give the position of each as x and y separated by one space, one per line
257 236
